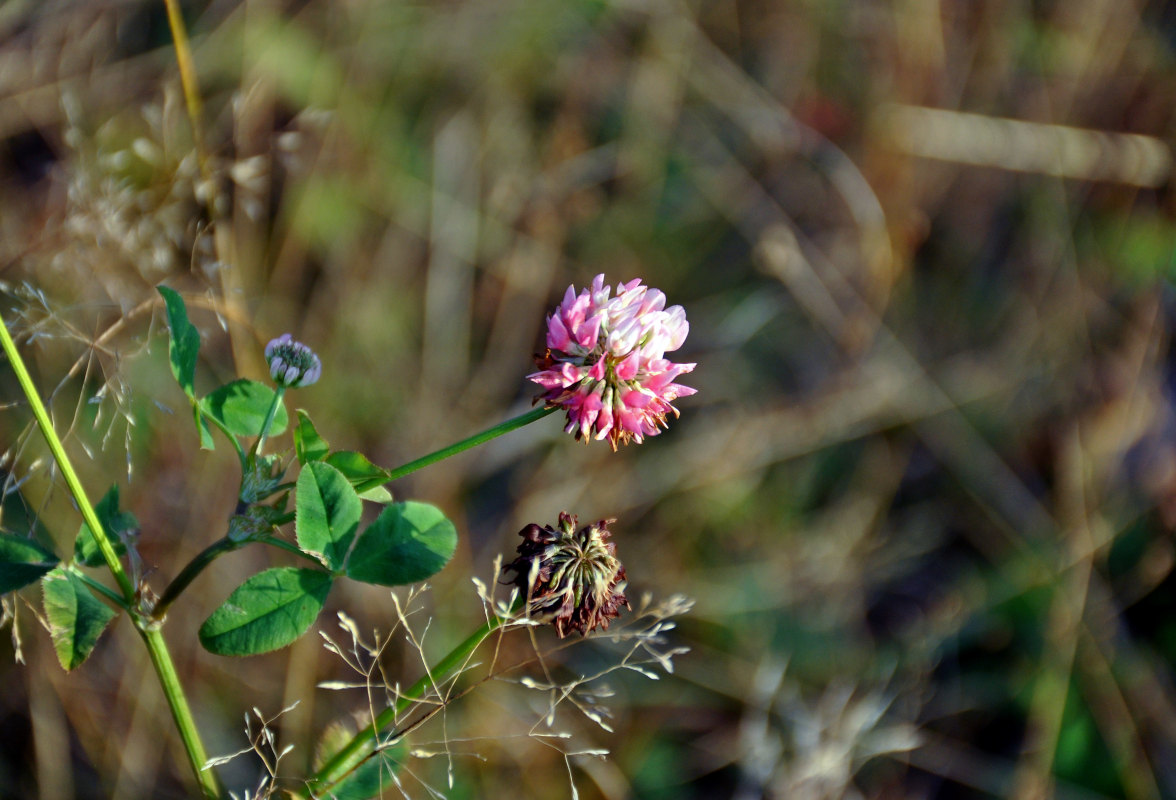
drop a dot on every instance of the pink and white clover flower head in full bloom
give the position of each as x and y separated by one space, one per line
606 362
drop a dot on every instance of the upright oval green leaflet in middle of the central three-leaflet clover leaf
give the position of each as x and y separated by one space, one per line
328 514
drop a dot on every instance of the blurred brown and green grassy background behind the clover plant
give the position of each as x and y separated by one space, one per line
924 499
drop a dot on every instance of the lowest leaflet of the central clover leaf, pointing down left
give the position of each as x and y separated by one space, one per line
268 612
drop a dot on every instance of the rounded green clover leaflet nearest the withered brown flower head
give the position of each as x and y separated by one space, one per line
409 543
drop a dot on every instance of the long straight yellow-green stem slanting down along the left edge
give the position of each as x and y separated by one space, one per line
156 645
